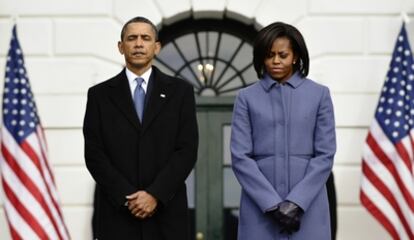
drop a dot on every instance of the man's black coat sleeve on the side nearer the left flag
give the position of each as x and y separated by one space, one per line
113 183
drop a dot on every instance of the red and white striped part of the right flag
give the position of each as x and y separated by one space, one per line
387 187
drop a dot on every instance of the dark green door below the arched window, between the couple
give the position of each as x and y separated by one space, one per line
216 190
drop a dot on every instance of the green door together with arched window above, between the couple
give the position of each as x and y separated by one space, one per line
214 55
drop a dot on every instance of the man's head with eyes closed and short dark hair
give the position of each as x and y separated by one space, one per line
139 46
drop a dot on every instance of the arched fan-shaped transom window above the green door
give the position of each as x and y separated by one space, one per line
214 55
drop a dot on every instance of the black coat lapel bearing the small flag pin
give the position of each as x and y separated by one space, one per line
161 90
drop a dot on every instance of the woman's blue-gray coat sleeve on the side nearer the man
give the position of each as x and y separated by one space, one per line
247 172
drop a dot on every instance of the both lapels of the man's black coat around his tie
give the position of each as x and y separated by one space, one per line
161 91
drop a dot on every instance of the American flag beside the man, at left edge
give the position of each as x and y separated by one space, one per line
30 197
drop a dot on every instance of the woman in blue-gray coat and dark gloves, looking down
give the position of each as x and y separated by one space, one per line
283 142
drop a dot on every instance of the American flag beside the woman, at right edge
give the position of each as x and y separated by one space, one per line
387 187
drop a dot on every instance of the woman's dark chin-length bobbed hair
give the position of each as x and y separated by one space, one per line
264 41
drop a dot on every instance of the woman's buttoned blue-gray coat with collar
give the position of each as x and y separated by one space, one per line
282 146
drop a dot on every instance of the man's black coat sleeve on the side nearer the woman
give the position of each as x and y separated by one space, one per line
182 160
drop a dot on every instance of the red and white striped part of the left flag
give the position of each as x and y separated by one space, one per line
31 199
